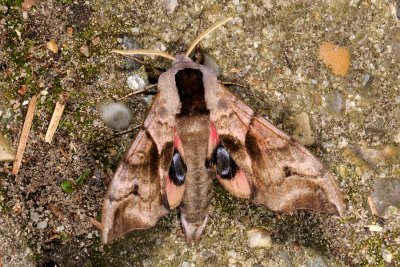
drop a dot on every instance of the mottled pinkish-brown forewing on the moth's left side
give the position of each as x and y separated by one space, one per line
135 198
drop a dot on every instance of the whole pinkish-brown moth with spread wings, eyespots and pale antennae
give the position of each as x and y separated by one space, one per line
197 130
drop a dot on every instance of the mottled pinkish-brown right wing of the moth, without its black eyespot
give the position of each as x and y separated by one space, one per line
281 174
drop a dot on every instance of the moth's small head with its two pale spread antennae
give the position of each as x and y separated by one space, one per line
180 57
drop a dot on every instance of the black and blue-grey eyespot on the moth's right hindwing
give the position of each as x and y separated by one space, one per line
225 165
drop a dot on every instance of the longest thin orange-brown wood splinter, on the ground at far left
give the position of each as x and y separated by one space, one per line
24 135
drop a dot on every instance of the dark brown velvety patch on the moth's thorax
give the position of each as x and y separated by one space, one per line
189 83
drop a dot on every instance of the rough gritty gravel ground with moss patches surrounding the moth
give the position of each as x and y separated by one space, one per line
270 48
